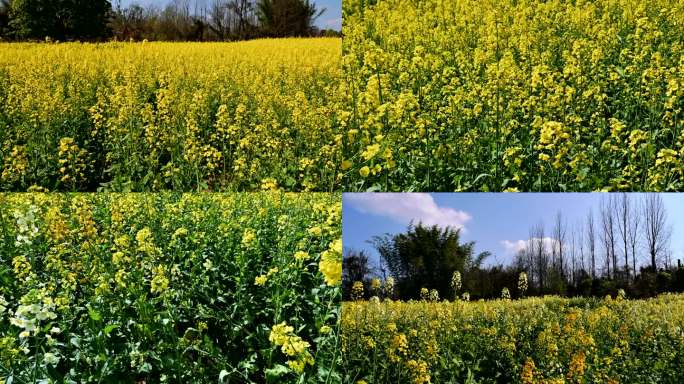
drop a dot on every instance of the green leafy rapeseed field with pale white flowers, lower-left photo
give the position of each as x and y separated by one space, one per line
203 288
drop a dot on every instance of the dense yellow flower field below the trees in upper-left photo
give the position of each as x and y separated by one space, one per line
153 116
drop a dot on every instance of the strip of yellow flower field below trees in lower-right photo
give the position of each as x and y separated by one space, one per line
534 340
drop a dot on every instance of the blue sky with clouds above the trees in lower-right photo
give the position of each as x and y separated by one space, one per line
496 221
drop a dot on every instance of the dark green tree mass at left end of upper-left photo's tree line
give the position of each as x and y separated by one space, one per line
60 19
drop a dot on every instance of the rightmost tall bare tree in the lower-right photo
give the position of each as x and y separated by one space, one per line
657 231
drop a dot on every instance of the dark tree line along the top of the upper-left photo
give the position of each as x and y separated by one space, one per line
179 20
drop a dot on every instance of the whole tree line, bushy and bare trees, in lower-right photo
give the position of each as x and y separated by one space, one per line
624 245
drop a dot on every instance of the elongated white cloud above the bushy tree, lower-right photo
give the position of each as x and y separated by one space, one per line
406 207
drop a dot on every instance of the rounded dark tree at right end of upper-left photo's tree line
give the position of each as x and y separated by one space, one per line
280 18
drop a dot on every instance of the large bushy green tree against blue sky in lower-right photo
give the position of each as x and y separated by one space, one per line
426 257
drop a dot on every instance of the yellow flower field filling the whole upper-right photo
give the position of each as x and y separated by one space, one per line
513 95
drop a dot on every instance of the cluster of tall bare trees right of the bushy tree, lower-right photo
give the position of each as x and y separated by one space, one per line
625 234
